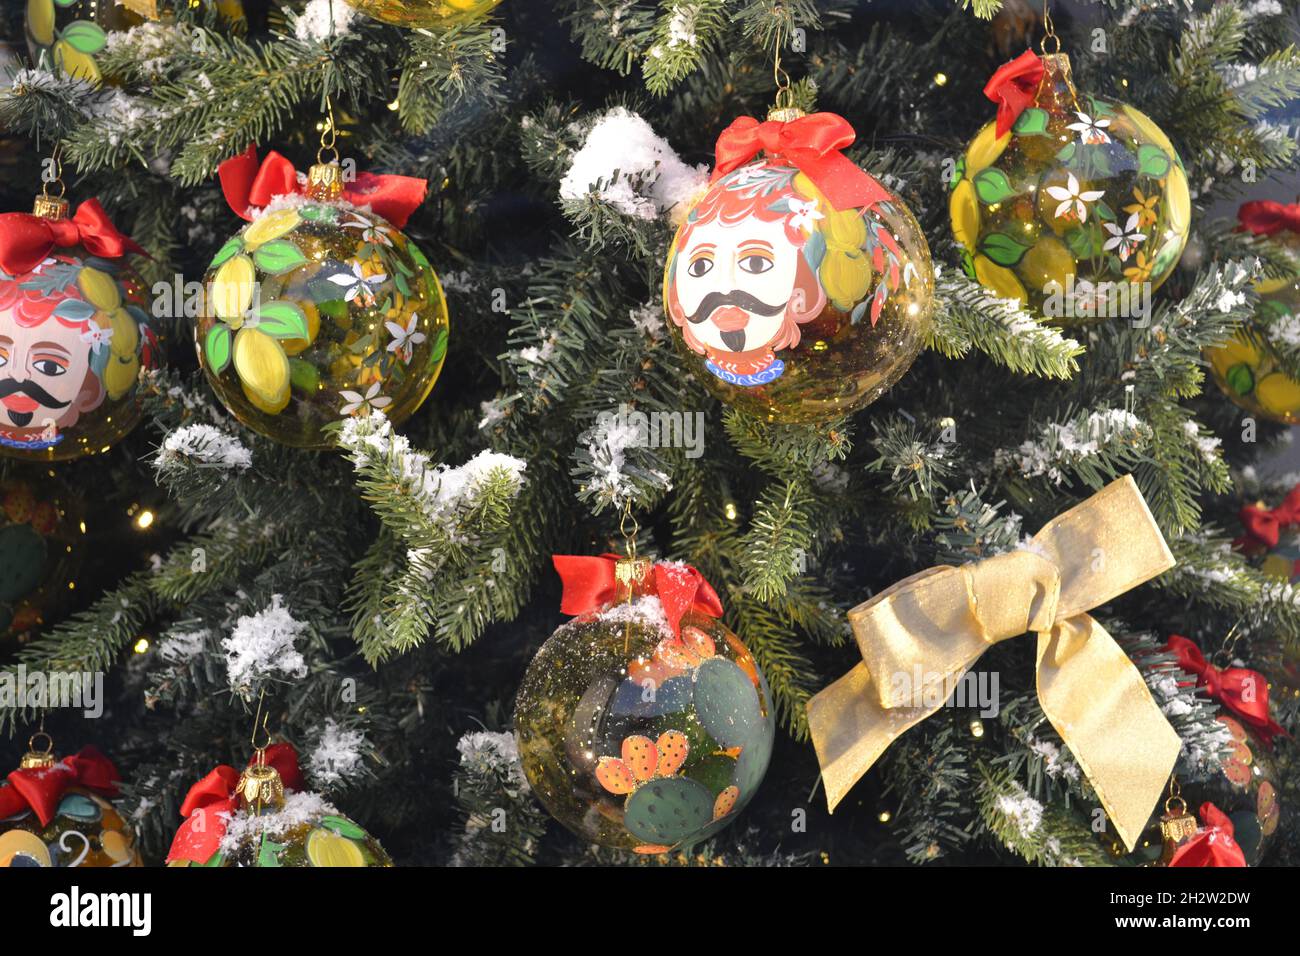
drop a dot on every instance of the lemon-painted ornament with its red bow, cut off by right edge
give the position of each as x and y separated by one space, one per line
1251 369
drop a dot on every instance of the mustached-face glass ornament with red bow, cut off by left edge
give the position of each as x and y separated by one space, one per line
75 335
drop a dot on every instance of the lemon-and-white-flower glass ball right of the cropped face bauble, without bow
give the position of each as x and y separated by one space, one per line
319 310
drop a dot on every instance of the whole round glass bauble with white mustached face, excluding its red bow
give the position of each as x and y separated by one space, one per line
790 309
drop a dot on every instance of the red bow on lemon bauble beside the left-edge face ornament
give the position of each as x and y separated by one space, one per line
249 187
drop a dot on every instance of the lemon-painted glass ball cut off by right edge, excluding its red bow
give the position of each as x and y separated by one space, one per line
1250 369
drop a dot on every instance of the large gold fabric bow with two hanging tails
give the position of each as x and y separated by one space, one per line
941 621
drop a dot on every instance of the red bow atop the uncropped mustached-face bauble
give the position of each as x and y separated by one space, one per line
812 145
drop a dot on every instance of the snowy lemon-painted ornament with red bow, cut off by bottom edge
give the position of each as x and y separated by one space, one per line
266 817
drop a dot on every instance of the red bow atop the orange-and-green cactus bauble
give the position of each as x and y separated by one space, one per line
590 586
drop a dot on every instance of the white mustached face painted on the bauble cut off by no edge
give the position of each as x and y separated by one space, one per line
735 283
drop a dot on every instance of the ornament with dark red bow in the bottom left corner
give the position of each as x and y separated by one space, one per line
57 812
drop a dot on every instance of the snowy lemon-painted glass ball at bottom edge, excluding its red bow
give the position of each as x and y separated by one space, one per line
306 832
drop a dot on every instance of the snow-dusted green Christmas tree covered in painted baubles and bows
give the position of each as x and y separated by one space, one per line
291 547
